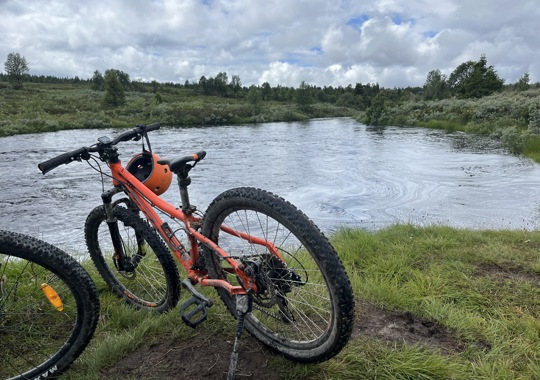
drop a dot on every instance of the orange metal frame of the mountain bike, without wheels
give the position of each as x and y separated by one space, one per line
146 201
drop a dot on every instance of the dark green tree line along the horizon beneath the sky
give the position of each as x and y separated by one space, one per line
471 79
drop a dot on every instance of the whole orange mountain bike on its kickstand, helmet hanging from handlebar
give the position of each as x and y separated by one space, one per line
272 267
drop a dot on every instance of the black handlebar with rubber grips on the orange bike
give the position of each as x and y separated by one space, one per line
77 154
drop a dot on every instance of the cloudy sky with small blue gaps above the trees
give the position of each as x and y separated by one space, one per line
394 43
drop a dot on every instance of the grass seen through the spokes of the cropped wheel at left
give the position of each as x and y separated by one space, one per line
27 318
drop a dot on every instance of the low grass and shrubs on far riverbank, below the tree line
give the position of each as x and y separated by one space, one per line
512 116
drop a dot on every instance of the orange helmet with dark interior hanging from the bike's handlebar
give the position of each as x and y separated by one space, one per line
145 168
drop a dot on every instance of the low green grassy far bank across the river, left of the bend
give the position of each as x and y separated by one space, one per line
43 107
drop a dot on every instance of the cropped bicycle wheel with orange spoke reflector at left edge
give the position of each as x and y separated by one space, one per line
49 308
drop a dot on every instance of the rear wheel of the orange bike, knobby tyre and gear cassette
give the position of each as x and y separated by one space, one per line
304 308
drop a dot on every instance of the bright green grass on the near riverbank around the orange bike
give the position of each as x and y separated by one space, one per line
483 286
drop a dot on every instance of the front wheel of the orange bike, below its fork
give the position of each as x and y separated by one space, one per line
151 280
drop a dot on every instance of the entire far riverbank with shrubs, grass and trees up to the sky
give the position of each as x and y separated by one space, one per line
472 99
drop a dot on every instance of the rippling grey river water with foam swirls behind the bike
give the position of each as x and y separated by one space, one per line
339 172
